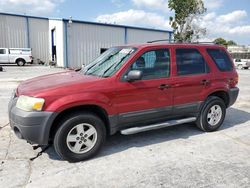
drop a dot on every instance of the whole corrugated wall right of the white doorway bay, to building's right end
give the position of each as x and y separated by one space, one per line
86 40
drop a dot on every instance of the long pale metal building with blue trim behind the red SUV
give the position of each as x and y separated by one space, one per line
69 43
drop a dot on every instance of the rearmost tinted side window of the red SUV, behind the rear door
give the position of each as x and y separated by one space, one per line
221 59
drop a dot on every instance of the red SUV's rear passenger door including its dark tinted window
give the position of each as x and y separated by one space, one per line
191 80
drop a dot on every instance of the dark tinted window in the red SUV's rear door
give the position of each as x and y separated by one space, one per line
190 61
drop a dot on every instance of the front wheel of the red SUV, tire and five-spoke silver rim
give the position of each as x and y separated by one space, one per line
71 142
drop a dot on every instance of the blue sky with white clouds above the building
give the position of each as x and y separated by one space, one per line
229 19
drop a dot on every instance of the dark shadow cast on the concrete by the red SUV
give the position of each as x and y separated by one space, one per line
118 143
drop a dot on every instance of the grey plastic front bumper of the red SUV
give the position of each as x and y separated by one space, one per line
31 126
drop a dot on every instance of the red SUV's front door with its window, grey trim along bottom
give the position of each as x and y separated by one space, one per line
151 97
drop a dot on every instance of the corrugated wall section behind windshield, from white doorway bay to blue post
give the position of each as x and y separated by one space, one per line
86 40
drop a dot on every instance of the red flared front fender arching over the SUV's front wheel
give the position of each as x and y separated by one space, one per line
65 102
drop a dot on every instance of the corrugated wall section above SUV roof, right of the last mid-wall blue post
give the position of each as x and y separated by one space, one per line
142 36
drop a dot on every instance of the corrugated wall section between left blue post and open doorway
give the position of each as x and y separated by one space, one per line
39 38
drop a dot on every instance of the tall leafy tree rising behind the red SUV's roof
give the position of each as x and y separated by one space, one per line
186 18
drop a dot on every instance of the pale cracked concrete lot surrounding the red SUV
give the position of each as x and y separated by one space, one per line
178 156
